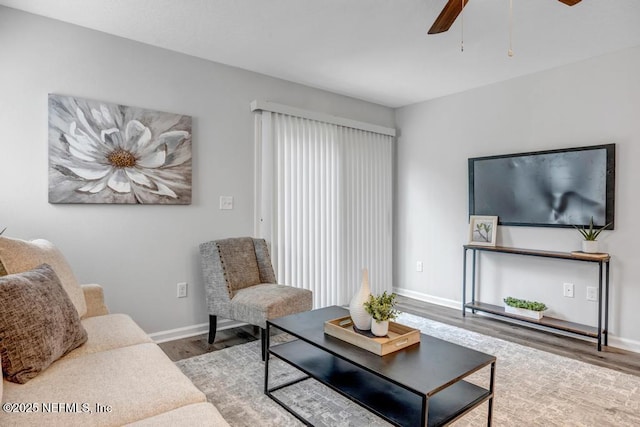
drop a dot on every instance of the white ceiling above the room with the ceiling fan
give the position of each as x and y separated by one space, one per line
376 50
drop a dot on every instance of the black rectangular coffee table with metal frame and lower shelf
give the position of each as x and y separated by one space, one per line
421 385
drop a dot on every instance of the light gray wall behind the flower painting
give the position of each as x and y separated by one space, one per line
138 253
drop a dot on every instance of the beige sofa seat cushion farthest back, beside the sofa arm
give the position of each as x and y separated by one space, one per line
109 332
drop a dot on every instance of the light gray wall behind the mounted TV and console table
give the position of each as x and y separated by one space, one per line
587 103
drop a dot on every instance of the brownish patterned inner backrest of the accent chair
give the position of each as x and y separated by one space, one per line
238 258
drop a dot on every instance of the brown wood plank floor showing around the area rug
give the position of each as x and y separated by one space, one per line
610 357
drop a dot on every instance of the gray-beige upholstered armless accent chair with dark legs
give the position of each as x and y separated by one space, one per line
241 285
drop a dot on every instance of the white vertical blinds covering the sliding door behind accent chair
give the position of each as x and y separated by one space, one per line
324 197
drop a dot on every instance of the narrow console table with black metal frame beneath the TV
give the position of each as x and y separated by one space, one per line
599 333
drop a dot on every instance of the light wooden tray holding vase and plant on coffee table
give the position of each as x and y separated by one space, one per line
398 337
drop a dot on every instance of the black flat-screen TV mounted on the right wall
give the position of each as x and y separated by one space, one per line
554 188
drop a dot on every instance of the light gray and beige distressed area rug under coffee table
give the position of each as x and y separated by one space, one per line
533 387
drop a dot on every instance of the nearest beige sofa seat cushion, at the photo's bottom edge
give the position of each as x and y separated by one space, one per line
197 414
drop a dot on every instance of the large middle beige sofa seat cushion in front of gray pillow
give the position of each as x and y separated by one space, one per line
136 382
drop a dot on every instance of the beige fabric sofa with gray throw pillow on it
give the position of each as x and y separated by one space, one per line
117 377
